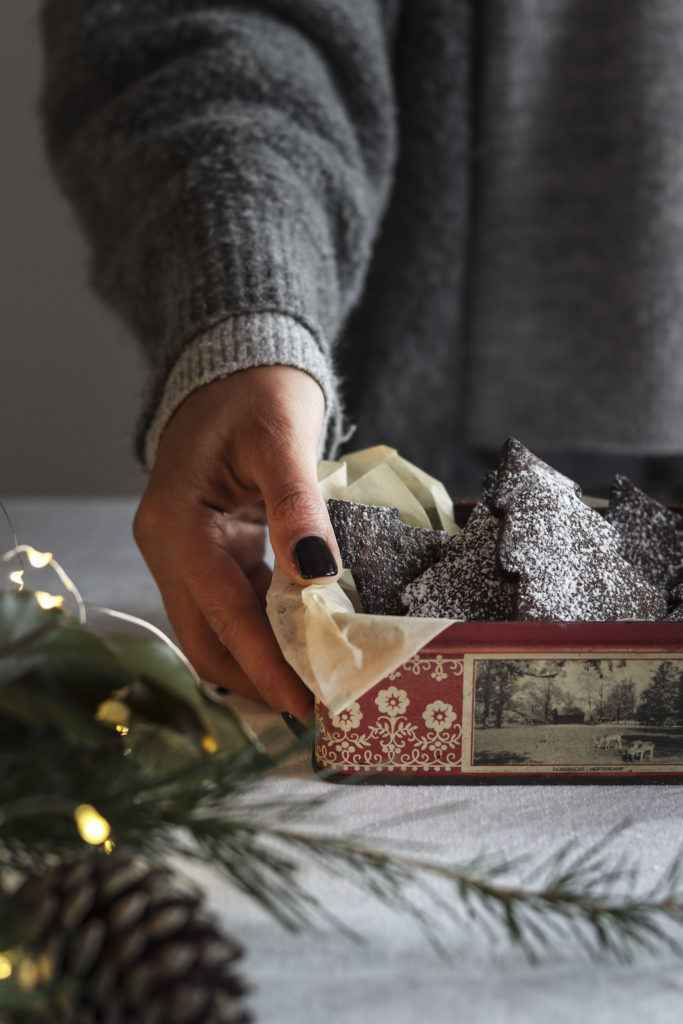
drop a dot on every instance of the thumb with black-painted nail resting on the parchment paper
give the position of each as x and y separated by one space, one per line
302 534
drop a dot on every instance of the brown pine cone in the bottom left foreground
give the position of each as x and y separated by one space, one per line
135 944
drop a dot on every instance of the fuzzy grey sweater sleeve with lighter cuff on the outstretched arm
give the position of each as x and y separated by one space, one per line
230 164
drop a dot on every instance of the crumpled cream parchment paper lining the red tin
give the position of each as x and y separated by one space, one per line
339 652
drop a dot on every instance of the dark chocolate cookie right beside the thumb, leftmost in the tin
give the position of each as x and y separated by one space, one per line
382 553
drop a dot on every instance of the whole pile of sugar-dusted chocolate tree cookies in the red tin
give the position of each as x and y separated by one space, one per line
532 549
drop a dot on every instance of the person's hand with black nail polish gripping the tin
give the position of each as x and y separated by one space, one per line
238 452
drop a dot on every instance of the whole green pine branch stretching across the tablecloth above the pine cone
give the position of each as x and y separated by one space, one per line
211 812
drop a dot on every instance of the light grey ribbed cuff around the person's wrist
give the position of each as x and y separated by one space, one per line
243 342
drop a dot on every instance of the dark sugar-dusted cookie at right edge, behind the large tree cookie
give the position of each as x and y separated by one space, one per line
651 536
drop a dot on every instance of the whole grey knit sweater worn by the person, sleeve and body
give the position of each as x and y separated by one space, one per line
463 218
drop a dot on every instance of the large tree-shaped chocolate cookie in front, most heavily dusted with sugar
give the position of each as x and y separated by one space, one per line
565 556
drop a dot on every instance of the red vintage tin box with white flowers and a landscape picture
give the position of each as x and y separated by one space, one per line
520 702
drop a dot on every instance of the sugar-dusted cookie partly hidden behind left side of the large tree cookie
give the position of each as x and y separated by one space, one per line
467 582
